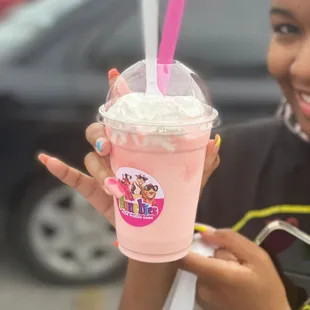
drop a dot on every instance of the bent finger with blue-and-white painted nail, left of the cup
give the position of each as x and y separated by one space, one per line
95 135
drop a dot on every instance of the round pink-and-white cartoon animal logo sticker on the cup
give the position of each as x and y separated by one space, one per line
143 200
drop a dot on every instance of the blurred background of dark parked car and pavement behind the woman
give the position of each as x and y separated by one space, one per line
54 58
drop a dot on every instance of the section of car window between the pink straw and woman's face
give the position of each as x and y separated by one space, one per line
226 32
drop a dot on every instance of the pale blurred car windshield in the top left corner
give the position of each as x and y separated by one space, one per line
24 22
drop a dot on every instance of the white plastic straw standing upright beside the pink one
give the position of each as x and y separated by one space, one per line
150 13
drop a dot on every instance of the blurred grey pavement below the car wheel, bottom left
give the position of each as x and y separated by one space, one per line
19 291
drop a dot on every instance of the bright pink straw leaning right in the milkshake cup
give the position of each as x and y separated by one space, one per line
169 42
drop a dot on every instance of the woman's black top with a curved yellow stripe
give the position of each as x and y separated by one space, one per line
264 175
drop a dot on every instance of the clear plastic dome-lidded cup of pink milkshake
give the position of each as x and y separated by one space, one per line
160 166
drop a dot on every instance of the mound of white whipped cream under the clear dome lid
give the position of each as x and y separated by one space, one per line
139 108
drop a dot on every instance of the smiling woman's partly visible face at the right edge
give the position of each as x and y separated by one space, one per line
289 54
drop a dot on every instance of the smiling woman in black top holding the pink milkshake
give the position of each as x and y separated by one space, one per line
273 181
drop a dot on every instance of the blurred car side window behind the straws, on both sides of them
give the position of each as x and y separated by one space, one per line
220 32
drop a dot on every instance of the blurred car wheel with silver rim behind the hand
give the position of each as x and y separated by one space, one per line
61 238
